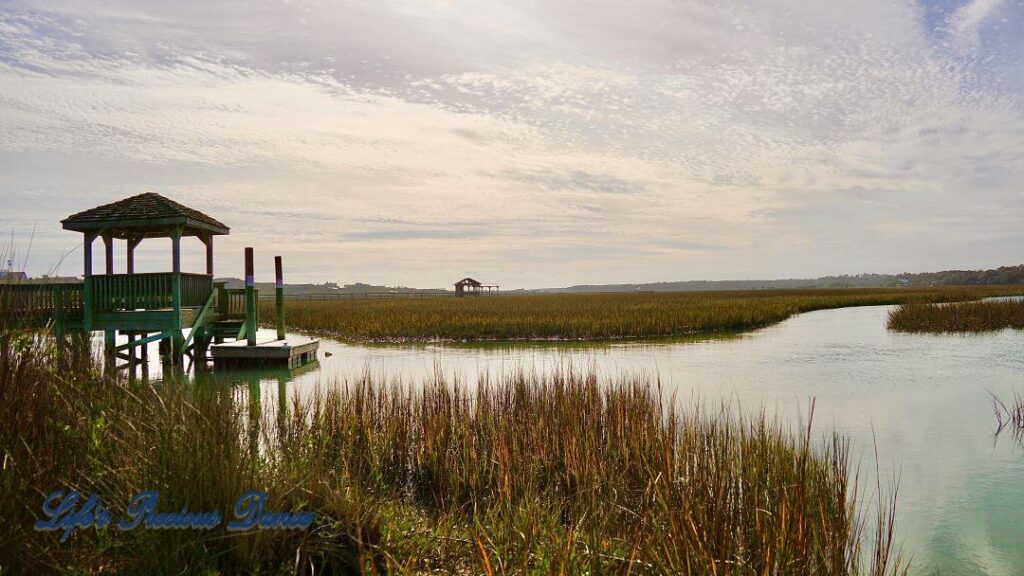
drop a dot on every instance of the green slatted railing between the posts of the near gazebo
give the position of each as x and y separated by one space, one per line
148 292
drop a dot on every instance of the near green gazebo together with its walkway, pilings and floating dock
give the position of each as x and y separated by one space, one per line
150 308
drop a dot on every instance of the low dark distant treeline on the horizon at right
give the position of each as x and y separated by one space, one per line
1002 276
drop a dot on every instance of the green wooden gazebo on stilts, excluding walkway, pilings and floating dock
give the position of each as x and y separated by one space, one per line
150 307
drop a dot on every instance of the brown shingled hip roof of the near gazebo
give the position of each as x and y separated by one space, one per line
146 216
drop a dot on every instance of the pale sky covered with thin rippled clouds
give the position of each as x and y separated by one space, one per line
526 143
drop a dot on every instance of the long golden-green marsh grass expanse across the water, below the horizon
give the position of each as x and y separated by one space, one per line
587 317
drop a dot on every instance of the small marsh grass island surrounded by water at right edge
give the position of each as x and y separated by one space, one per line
984 316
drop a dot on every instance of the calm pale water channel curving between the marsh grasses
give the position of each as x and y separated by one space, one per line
925 400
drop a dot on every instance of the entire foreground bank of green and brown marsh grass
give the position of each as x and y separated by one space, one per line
554 473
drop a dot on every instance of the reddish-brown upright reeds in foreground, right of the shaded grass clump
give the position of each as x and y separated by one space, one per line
565 474
